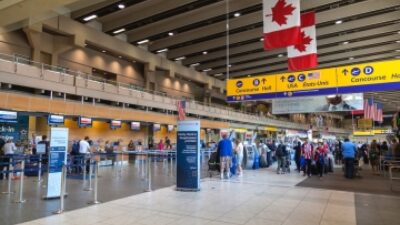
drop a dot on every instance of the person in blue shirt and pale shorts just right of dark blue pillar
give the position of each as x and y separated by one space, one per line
225 154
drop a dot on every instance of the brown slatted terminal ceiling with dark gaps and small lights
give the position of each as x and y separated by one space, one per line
193 33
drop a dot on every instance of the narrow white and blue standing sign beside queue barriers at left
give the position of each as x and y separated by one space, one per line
57 157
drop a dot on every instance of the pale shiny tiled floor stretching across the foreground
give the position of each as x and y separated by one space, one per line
259 197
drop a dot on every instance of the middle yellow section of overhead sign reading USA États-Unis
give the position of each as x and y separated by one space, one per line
315 79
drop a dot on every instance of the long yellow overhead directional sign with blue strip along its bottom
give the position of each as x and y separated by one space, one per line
376 76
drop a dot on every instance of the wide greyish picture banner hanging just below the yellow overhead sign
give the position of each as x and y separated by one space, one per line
329 103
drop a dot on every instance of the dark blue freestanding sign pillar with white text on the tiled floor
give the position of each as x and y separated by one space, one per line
188 156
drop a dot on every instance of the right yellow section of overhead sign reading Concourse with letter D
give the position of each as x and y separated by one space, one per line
369 73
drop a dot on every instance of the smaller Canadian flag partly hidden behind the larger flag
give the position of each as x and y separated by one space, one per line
304 55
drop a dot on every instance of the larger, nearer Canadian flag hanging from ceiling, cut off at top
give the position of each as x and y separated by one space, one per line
281 23
